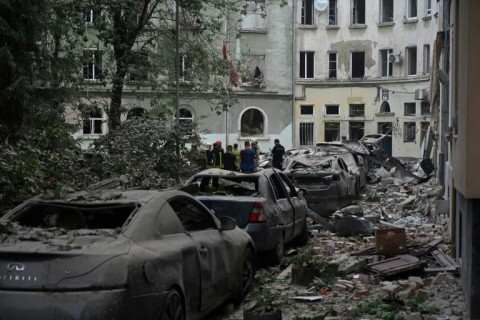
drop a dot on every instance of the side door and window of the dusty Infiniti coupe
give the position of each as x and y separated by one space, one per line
211 247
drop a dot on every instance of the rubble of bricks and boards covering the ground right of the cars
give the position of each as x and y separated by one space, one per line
392 257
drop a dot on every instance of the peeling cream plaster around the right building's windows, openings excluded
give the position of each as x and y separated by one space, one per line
343 91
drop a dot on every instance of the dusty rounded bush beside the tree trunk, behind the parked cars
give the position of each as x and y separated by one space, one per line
145 151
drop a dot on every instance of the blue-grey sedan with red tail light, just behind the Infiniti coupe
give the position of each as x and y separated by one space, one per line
264 203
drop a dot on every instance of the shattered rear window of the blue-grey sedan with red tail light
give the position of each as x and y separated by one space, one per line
235 185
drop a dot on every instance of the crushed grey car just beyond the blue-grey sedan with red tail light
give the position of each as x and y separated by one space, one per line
327 179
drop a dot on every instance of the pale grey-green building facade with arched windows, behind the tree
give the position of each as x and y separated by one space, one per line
256 42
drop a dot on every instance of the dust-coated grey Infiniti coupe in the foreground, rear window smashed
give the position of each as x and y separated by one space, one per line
120 255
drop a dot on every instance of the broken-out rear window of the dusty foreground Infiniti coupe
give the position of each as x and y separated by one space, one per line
72 217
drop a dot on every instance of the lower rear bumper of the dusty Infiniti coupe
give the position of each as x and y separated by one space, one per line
101 304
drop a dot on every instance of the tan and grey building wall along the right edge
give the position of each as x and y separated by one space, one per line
455 114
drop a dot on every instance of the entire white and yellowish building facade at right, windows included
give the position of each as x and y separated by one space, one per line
363 67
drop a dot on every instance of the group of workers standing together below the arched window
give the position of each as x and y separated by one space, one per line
245 160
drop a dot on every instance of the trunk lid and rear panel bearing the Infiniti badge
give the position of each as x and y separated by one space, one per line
69 261
